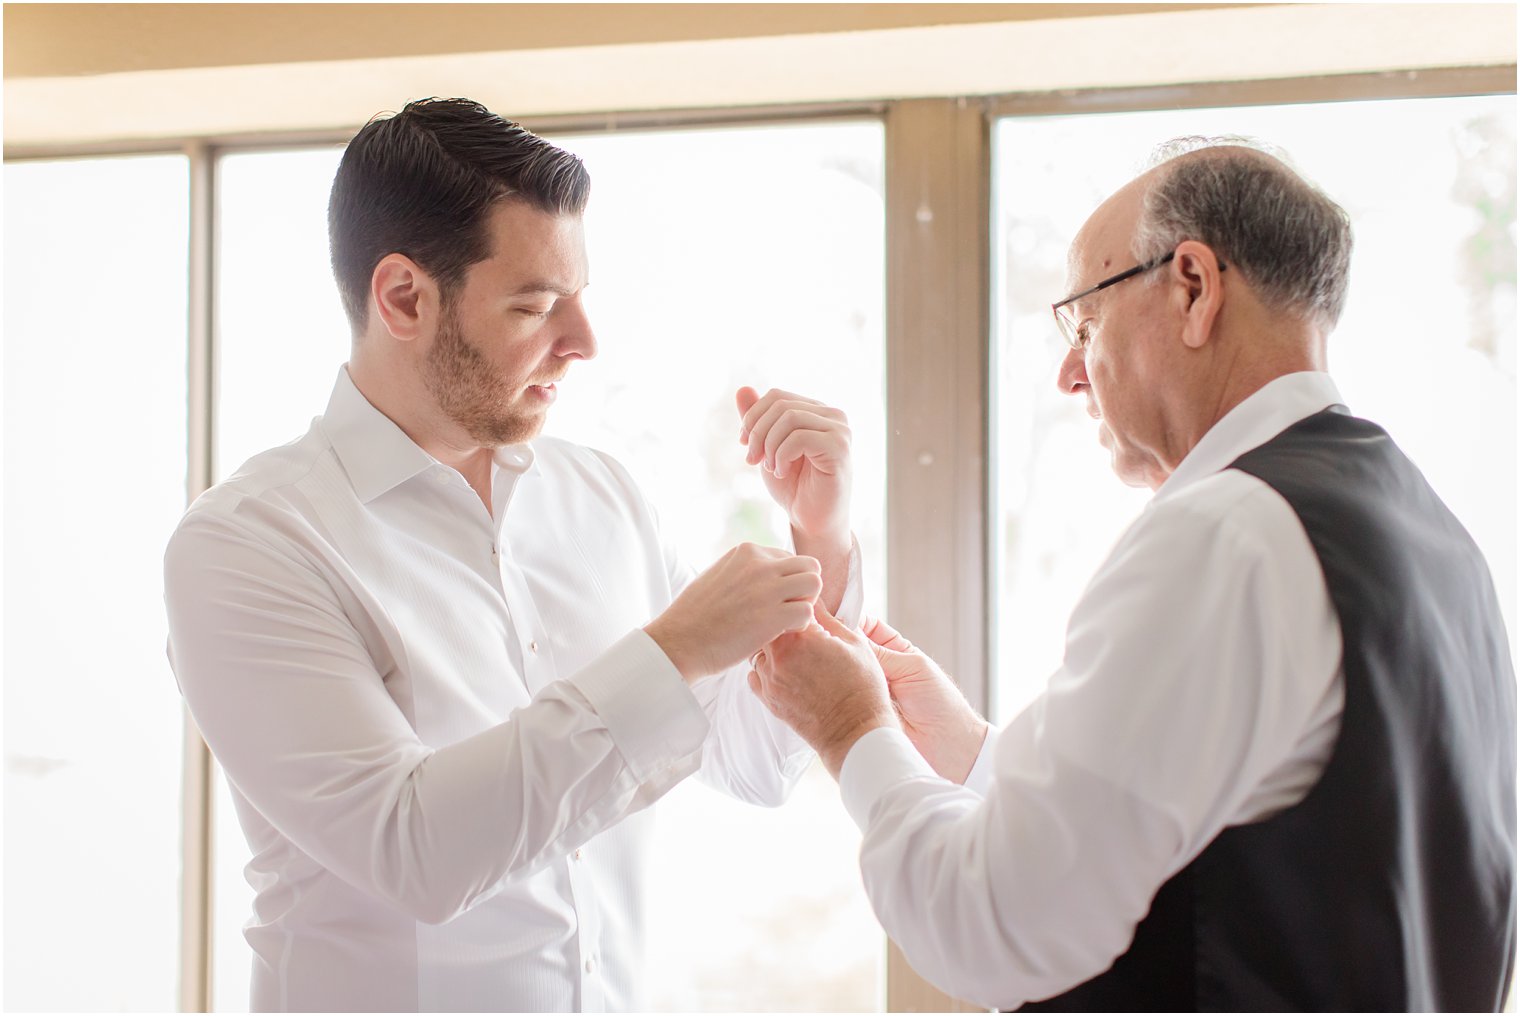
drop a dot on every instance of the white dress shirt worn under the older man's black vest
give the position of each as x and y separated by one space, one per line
1202 688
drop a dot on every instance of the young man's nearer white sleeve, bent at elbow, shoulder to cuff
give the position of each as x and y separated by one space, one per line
291 703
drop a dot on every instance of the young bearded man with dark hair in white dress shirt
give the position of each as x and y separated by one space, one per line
449 664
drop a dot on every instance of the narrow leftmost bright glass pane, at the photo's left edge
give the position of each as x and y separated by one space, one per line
95 469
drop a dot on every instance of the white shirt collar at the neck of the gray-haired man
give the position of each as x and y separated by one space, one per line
1267 413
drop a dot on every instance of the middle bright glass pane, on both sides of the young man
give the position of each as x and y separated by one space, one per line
794 302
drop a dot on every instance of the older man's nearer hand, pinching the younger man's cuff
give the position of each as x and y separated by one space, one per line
826 684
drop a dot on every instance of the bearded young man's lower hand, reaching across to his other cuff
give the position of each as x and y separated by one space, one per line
744 602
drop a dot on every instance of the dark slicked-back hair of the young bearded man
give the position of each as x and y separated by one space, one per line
423 182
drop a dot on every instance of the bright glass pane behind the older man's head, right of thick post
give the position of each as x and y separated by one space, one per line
1427 346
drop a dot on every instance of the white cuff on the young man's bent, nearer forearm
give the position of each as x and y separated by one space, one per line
650 711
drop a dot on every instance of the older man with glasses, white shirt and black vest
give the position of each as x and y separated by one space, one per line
1276 769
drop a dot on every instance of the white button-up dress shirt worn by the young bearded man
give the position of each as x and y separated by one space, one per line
443 728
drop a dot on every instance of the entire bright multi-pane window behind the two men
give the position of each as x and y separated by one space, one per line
720 258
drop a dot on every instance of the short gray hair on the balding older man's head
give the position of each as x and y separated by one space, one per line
1259 215
